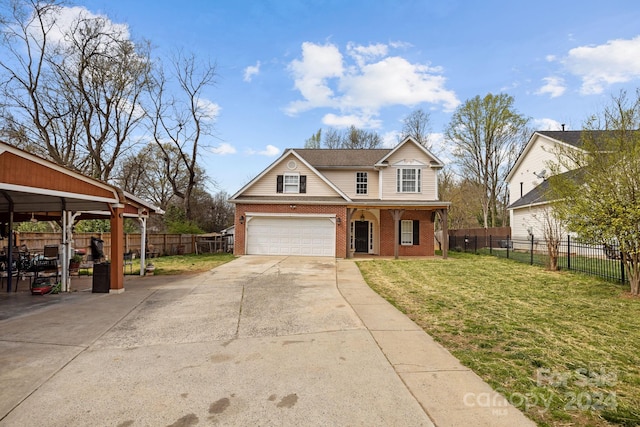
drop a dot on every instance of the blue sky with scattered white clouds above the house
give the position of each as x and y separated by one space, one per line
288 68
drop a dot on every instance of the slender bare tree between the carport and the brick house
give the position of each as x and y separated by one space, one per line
183 120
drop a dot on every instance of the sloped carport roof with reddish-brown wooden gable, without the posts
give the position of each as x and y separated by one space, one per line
40 188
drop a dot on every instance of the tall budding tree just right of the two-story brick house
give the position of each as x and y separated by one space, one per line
487 134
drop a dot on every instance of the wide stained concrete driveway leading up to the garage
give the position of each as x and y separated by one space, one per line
259 341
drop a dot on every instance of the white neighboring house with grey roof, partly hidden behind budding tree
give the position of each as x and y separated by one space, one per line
528 183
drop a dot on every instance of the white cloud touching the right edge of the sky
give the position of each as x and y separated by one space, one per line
617 61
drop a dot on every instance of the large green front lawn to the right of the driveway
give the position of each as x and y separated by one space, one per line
563 347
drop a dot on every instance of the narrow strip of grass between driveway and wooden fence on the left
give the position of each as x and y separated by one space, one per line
179 264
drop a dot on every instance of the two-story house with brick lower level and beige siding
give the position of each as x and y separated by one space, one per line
336 202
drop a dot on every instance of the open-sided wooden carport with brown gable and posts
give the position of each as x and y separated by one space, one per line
32 187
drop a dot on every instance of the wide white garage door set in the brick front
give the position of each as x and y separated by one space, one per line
291 236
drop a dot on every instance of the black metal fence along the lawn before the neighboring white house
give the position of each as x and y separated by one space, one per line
599 260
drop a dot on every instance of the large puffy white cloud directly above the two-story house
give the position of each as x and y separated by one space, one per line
364 82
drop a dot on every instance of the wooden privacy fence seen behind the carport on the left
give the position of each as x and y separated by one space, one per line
157 244
